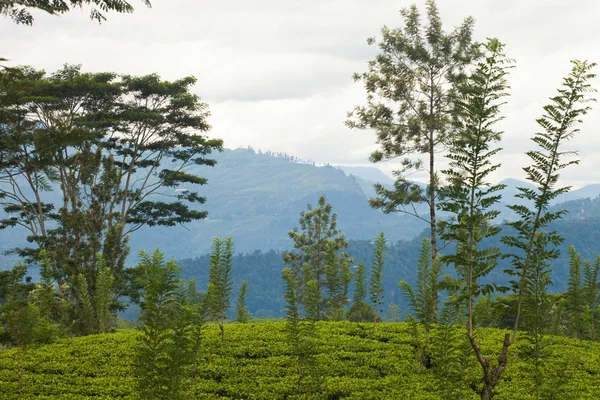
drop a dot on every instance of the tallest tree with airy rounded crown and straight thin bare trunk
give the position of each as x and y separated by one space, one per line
410 86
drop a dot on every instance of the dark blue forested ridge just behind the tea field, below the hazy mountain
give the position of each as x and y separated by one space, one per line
262 269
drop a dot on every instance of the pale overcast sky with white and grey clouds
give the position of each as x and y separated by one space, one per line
278 74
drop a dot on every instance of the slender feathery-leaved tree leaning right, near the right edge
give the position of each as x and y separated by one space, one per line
534 246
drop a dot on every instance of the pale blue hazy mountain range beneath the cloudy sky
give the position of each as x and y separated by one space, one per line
257 199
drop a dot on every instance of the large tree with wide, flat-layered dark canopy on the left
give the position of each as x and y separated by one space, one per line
109 148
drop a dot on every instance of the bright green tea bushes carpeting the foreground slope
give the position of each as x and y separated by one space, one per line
356 362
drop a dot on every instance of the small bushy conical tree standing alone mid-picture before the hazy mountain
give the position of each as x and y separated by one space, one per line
316 240
